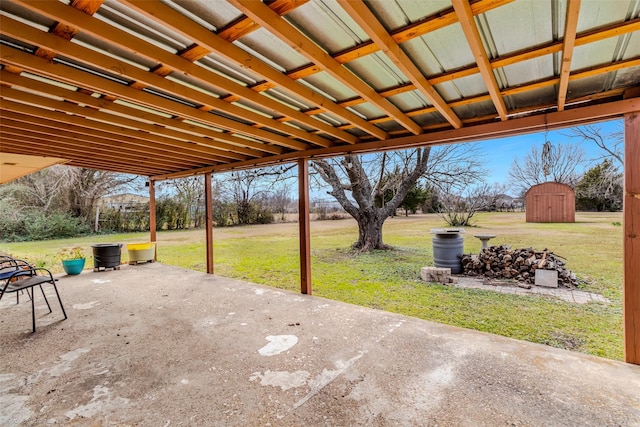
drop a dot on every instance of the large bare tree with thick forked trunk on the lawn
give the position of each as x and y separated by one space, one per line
356 181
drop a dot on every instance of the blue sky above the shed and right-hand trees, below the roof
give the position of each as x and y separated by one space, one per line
499 154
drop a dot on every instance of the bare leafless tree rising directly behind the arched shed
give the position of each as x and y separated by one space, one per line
563 161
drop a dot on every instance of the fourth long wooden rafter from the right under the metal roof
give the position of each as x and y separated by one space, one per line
260 13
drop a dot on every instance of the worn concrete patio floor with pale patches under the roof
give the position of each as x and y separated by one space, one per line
154 345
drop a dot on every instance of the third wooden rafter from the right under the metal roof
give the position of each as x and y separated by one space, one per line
361 14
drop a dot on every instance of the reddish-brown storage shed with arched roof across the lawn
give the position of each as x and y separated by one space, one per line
551 202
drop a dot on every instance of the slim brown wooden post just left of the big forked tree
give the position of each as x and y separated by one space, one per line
303 224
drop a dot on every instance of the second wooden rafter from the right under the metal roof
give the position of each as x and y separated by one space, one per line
470 29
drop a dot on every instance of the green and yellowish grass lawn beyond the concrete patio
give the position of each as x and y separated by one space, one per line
389 280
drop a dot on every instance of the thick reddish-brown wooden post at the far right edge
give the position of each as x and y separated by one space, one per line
631 292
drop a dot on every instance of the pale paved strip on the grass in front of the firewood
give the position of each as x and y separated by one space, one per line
570 295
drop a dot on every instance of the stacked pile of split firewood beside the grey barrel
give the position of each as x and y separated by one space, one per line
502 262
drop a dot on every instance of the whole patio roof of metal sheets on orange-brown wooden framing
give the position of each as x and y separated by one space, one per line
176 87
